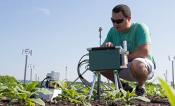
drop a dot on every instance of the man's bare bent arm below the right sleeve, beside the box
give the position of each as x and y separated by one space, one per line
143 51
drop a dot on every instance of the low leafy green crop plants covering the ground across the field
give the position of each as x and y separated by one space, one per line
14 93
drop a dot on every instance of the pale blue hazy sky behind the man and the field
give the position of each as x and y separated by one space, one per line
60 31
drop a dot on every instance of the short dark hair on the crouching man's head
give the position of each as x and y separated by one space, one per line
123 8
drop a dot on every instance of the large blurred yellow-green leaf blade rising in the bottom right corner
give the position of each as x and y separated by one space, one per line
169 91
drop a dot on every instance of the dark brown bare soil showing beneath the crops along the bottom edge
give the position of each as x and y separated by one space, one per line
155 101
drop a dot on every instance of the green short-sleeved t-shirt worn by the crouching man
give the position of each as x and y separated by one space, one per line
137 35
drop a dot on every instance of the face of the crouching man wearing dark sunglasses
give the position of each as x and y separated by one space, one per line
120 22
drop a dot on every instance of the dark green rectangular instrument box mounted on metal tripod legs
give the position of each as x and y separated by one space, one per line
104 58
